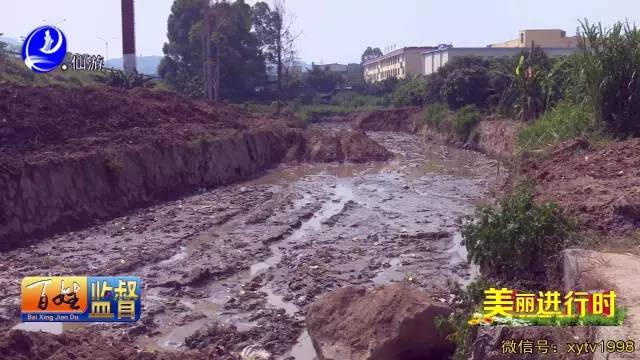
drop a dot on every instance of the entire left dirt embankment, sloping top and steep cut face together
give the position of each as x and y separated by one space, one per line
69 156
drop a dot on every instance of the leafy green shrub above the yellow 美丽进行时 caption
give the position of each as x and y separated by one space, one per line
517 239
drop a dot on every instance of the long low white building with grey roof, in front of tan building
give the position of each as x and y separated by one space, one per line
434 59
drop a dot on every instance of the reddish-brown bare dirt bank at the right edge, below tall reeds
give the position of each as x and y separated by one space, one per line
601 187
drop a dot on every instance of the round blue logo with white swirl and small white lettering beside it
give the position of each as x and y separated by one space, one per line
45 49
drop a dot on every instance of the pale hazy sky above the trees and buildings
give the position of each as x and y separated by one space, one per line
332 30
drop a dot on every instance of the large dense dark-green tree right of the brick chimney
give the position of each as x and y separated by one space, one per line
227 57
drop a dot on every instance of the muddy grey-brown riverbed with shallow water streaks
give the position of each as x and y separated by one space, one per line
238 265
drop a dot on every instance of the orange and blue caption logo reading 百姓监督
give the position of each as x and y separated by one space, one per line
81 299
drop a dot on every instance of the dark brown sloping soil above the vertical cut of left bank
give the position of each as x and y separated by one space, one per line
68 119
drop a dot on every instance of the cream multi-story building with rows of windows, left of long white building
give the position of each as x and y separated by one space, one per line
399 63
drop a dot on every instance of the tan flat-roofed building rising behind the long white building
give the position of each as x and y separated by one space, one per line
550 38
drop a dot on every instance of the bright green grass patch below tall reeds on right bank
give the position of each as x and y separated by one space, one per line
566 121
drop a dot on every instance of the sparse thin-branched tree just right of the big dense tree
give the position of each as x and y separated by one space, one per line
274 31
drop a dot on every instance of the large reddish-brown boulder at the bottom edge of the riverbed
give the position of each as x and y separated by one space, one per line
394 322
